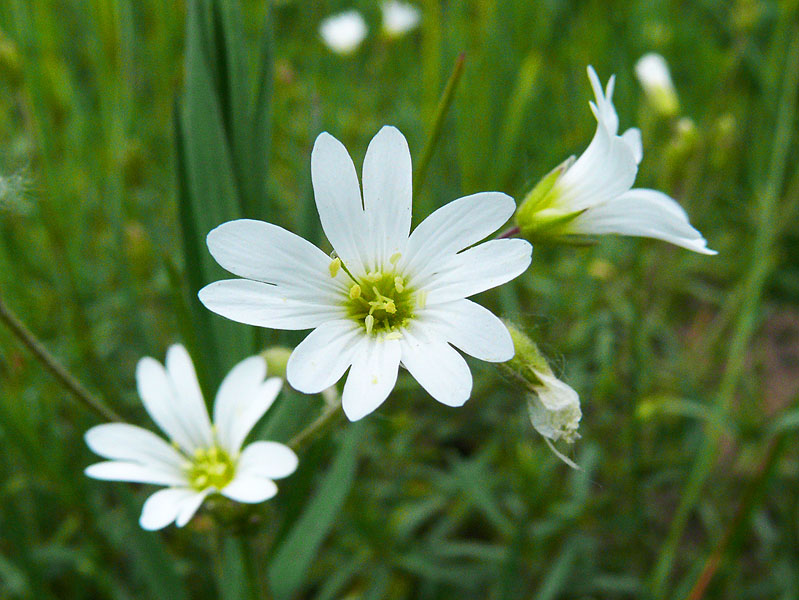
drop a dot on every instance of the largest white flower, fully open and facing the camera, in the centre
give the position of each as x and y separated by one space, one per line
389 296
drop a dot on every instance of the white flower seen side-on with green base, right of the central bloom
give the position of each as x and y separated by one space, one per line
593 194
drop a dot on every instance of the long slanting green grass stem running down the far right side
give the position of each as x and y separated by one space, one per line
766 237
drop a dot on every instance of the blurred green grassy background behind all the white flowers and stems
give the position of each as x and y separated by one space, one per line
687 366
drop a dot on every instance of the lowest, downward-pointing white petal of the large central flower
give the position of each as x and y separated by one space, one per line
371 378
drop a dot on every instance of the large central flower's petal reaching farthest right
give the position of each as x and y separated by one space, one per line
478 269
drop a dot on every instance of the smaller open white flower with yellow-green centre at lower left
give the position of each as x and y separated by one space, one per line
202 459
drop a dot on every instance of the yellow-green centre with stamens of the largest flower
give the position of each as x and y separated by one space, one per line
381 303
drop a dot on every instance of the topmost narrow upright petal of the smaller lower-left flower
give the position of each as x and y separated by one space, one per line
191 404
